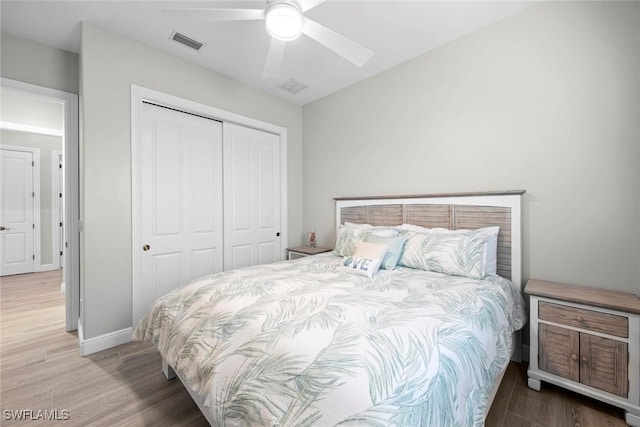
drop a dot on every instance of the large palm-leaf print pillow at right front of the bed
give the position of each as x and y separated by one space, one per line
456 254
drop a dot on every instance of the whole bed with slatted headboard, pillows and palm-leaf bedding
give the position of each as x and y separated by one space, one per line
335 339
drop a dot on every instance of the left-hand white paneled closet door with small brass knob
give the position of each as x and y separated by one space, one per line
180 161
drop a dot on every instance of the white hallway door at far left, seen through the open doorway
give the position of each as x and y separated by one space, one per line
16 212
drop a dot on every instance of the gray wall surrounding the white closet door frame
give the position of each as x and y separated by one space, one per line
109 65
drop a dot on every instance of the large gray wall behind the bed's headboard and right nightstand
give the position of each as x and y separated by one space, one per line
547 101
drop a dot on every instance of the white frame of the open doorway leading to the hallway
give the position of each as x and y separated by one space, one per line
71 169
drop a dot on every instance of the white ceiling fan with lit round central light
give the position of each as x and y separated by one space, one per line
285 21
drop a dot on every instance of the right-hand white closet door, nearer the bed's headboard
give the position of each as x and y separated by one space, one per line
251 197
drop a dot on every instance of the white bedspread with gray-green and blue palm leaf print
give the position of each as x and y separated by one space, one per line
303 343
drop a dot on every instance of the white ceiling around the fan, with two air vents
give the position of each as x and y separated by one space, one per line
394 30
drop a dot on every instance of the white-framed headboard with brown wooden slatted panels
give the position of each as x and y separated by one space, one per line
451 211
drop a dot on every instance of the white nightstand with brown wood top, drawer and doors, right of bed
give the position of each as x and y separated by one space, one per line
586 340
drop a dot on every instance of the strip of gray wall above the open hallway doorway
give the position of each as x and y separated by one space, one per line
30 62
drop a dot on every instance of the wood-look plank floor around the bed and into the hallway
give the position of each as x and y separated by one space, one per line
41 369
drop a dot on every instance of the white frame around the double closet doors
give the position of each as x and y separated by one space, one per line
141 94
